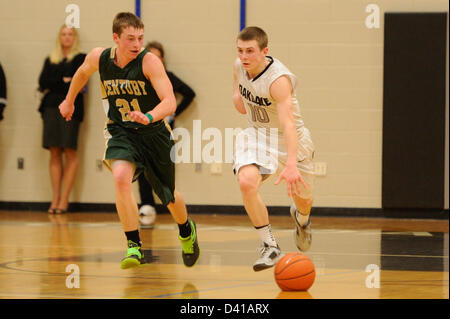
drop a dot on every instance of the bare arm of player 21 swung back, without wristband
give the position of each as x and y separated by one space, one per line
79 80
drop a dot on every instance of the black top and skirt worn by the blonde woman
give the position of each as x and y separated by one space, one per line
57 132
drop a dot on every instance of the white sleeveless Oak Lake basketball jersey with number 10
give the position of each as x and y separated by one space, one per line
261 108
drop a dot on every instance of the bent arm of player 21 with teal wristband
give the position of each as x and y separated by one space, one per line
155 72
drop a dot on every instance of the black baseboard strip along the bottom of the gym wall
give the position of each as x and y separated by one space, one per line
239 210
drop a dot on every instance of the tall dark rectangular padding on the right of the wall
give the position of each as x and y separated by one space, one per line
414 110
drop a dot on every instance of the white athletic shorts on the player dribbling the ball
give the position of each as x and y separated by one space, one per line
253 146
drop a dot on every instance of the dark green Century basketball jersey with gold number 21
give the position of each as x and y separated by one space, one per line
125 90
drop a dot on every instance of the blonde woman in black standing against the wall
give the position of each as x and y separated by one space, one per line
59 136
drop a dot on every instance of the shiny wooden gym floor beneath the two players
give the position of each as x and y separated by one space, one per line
36 249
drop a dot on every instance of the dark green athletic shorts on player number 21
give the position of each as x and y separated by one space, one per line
149 149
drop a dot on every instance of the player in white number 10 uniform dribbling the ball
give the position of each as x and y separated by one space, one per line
275 142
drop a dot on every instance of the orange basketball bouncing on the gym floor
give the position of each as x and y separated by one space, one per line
294 271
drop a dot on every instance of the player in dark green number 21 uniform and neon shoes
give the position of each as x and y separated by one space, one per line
137 95
